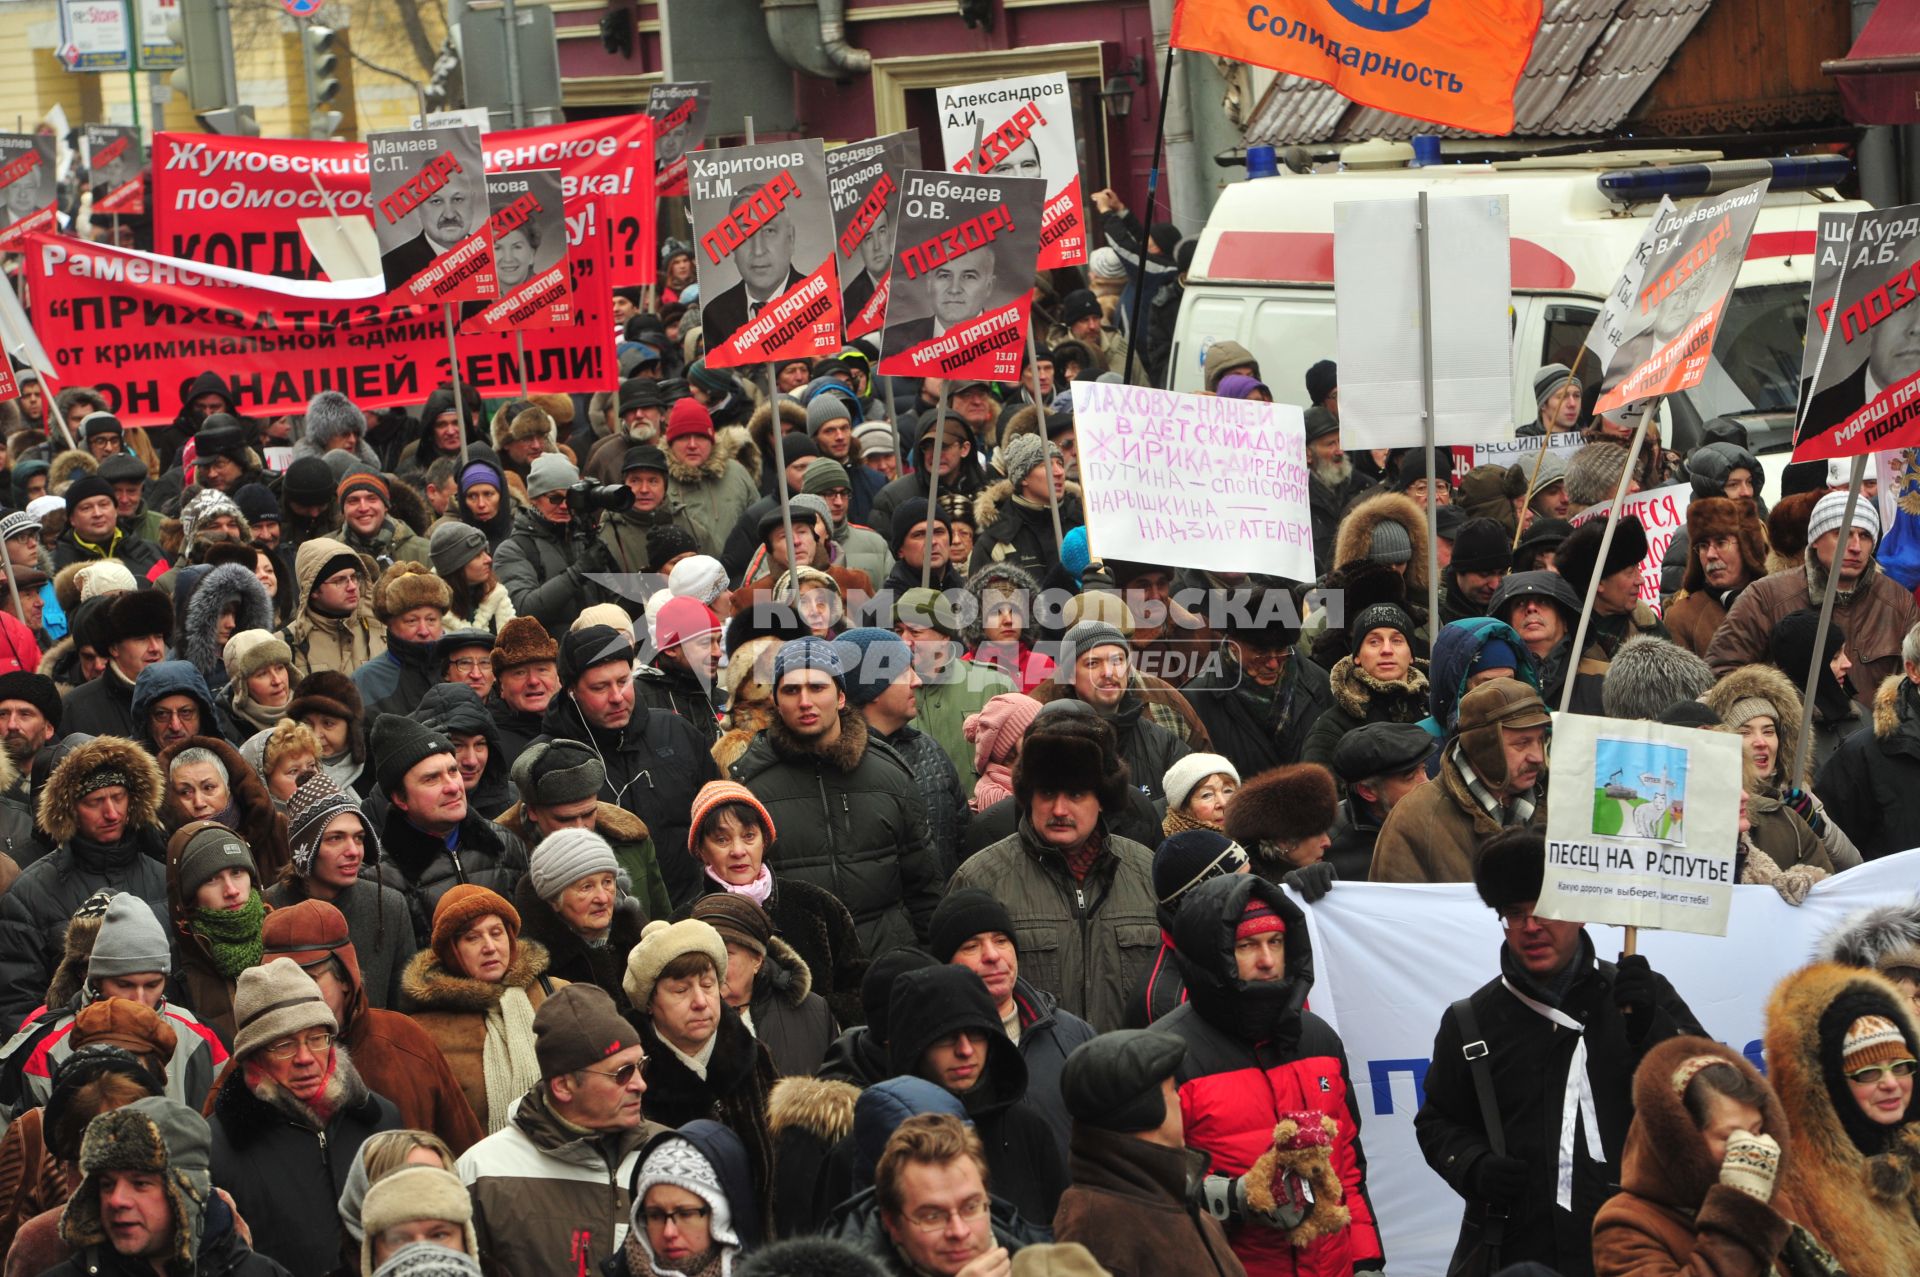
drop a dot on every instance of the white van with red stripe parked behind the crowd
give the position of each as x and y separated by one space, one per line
1262 274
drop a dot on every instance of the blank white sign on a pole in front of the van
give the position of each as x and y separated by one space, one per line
1380 322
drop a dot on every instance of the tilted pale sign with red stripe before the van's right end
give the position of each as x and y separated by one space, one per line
1656 333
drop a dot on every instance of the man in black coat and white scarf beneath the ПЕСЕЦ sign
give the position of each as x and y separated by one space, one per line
1564 1034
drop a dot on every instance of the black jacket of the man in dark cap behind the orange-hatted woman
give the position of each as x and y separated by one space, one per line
656 767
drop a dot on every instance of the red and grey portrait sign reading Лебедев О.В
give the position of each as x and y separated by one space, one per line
963 277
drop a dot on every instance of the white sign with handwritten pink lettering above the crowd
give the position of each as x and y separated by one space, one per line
1195 481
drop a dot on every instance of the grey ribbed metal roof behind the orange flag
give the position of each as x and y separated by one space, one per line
1591 64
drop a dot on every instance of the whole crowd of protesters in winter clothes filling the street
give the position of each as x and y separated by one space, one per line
539 836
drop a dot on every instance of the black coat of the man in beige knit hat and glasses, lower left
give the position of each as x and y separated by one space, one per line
285 1176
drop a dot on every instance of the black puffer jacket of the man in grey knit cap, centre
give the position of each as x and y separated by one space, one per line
852 821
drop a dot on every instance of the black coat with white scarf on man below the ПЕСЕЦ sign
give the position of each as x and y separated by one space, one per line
1529 1059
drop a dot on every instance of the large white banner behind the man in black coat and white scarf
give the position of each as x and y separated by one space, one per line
1391 959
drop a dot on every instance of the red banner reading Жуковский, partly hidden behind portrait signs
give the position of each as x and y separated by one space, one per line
237 203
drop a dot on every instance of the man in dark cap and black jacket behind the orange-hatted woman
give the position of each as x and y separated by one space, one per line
656 759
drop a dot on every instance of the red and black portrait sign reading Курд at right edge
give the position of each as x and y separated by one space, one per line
1861 373
